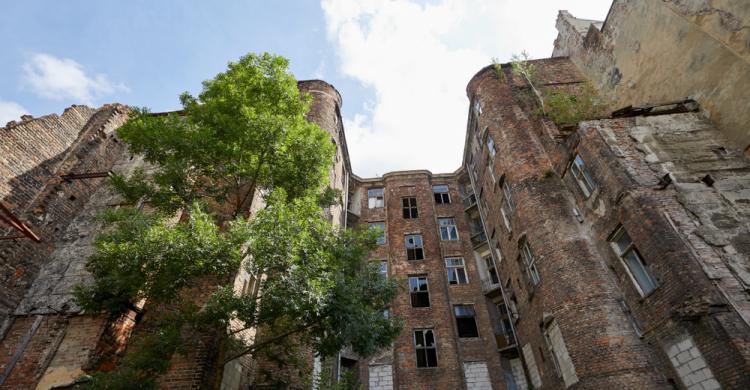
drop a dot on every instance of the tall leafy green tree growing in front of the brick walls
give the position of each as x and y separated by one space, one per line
246 133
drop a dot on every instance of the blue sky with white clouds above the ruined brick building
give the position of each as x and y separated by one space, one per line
400 66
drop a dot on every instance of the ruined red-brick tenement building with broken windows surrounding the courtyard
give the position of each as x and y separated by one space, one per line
610 254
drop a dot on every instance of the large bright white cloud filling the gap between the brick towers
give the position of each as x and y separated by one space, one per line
418 58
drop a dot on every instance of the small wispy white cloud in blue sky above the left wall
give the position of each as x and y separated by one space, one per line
63 78
